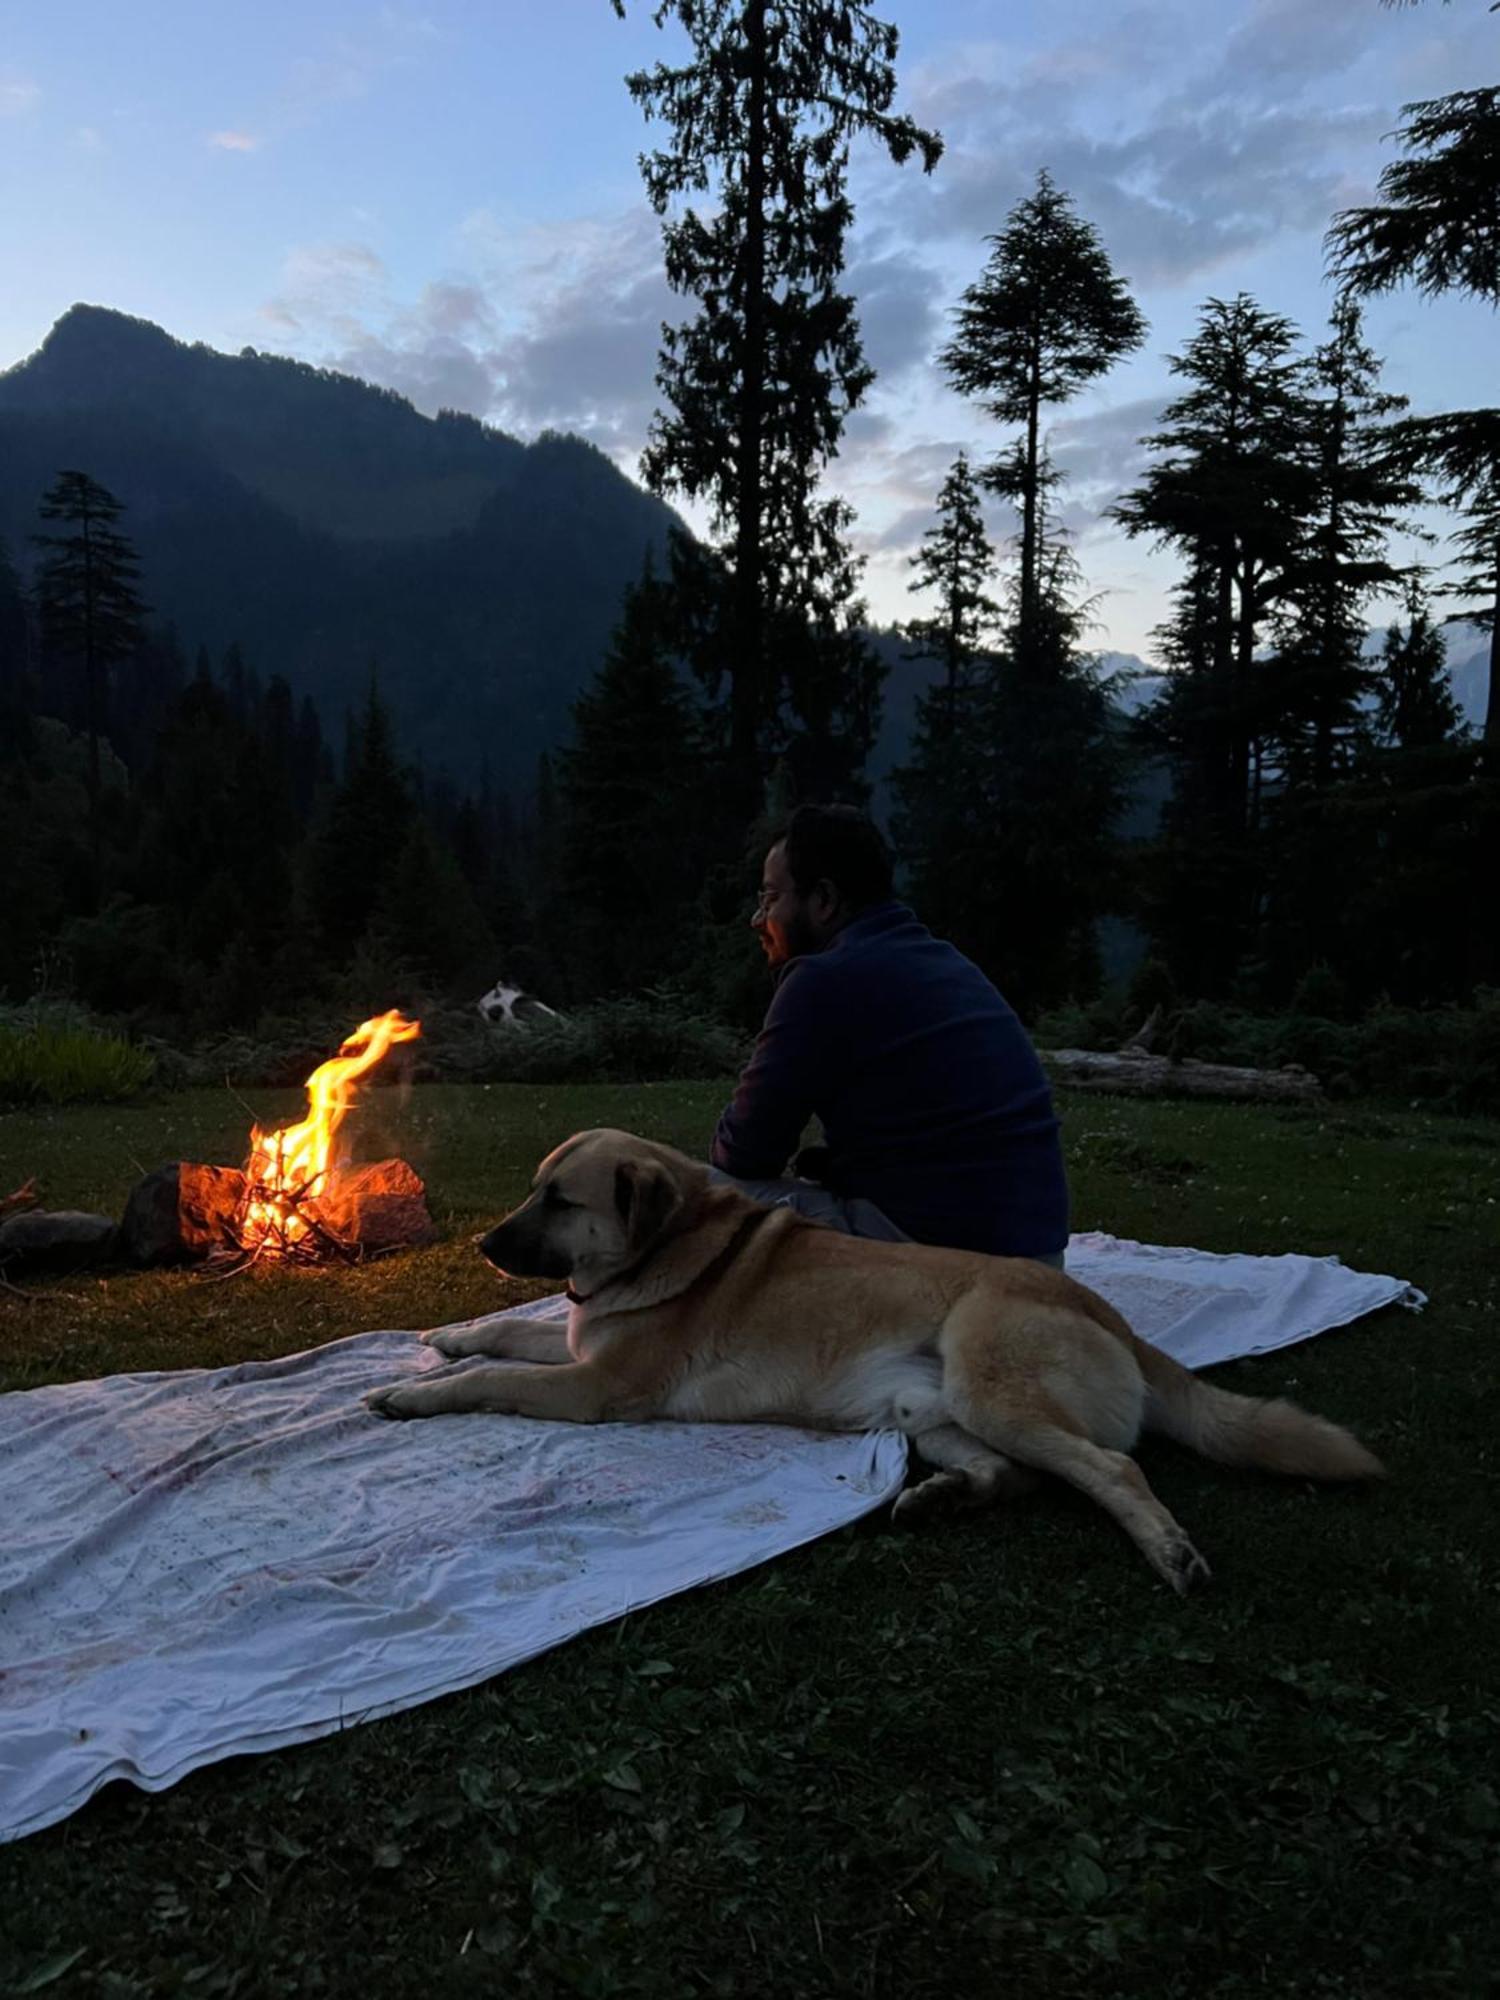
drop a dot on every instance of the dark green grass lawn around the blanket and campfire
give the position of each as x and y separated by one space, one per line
997 1759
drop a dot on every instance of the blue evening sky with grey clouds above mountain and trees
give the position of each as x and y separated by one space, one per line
445 199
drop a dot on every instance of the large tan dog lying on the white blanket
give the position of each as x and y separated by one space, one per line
691 1301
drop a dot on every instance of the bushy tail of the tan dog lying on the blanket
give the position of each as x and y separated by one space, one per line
1243 1431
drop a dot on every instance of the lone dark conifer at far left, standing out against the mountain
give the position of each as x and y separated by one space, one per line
93 615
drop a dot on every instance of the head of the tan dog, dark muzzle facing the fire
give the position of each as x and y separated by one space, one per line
597 1207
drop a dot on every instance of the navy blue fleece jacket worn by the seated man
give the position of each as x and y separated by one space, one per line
929 1091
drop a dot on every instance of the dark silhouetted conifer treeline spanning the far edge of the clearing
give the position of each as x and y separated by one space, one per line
185 845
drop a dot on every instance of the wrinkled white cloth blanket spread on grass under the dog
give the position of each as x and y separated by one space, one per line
207 1563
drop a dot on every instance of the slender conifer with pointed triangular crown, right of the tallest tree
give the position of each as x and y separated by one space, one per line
1047 317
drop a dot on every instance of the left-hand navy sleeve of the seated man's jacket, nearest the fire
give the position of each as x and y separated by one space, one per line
783 1083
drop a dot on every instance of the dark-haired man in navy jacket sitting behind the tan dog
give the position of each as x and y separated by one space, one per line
937 1117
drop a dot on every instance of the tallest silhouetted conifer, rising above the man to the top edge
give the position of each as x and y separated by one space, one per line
759 385
